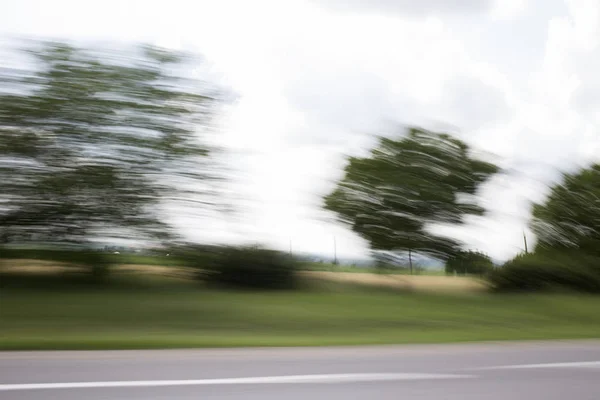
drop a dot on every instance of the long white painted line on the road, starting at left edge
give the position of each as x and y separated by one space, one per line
329 378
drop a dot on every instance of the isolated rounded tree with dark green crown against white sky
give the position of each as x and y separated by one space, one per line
390 197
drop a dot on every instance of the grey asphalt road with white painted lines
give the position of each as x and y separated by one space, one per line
492 371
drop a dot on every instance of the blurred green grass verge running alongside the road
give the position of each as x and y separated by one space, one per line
158 312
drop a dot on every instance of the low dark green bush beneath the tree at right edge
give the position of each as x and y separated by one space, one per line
548 271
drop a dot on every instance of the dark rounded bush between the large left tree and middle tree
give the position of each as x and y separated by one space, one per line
252 267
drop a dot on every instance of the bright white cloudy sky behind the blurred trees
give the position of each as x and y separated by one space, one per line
316 79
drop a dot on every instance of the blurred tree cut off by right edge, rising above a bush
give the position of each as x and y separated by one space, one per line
570 217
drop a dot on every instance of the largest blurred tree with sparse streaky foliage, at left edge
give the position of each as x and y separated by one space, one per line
93 144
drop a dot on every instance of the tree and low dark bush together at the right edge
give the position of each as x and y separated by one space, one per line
567 253
